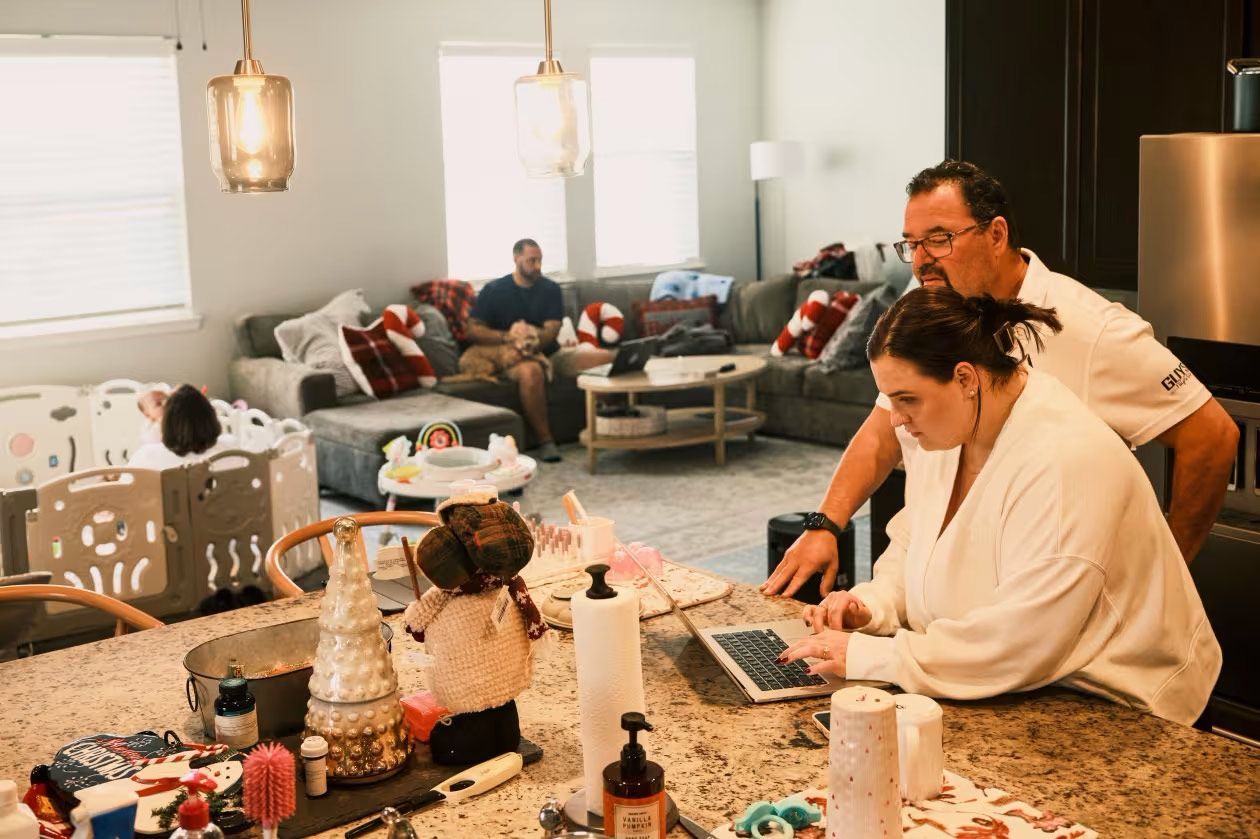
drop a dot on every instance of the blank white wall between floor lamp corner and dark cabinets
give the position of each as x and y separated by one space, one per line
862 85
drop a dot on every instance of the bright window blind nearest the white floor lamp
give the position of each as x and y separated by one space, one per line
647 212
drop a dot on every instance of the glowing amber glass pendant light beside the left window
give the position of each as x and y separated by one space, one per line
251 117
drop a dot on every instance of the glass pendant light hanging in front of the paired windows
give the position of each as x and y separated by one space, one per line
554 118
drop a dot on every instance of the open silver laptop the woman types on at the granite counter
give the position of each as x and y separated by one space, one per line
748 653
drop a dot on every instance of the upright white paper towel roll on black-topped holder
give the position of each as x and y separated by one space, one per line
609 681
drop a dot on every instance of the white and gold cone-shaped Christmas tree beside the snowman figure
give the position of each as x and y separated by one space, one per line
355 690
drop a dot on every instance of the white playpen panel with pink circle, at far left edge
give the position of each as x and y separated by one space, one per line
46 433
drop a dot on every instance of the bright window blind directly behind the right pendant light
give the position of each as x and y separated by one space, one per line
491 203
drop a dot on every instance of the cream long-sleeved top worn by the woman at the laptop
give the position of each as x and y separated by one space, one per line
1058 568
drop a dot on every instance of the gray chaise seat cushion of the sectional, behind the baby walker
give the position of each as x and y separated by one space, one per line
370 425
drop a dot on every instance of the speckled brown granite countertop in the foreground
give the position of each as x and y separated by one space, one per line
1118 772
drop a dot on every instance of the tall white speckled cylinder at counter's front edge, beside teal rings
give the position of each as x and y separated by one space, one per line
864 802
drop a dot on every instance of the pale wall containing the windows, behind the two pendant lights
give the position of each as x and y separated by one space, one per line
366 203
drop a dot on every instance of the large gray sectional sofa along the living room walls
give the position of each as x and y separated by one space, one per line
799 399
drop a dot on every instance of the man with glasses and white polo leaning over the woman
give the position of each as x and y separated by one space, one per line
959 232
